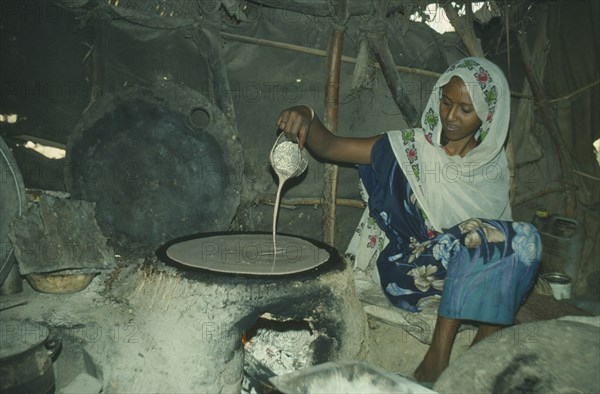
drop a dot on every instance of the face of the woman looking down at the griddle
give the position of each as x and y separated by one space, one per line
459 119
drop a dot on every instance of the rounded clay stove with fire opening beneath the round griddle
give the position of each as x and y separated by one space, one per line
194 321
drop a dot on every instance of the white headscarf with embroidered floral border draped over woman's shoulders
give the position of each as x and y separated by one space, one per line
451 189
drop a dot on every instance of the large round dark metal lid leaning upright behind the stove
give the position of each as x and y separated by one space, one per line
166 162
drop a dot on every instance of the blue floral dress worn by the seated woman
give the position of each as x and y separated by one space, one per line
483 269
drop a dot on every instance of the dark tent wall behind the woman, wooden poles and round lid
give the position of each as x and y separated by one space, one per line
253 58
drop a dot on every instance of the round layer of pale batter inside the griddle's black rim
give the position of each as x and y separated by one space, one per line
248 254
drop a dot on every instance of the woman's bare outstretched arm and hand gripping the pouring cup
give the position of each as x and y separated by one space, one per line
297 125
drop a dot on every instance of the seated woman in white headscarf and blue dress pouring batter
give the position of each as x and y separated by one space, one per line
440 193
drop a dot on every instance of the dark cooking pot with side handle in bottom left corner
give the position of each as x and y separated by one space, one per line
26 353
